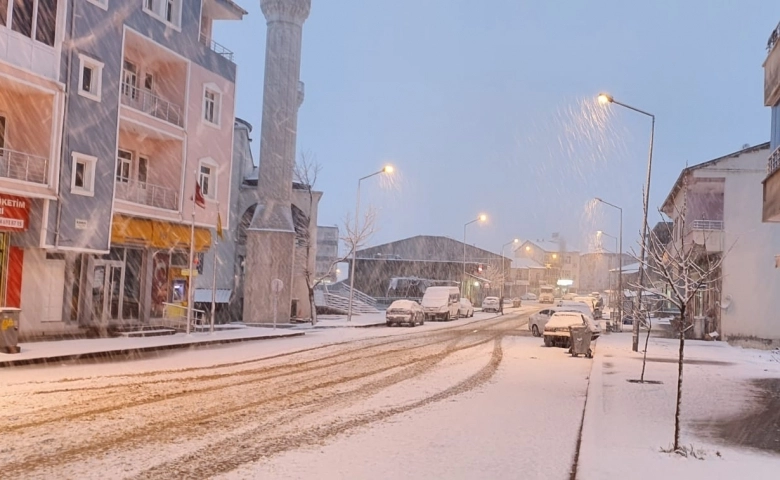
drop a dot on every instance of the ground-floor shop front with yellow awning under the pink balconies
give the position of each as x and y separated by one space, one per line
146 267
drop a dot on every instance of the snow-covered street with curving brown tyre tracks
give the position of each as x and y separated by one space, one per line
464 401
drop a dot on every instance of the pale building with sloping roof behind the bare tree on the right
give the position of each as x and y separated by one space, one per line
710 207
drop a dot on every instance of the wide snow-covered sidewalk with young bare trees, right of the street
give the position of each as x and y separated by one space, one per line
626 425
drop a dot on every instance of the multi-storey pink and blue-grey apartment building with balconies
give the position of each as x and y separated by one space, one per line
143 99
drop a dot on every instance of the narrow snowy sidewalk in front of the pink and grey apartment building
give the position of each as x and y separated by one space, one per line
61 350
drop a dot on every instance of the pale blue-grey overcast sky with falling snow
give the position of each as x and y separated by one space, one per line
490 107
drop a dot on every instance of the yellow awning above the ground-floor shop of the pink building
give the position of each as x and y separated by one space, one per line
157 234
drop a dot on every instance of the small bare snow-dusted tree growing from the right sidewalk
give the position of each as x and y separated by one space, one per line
677 272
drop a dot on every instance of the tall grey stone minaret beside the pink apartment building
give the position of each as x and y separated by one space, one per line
271 235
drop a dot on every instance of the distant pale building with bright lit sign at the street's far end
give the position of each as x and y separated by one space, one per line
562 265
